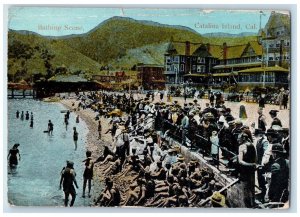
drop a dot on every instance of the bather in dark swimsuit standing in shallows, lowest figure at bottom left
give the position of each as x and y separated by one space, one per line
67 180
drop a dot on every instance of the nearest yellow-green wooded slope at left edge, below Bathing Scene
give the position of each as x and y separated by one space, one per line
30 54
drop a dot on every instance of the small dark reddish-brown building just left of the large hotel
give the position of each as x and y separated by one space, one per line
151 76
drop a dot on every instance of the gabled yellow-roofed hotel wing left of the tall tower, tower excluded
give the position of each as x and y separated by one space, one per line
209 64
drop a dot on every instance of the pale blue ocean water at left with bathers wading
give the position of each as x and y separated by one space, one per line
35 182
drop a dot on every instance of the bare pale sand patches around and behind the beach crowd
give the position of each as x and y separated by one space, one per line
97 145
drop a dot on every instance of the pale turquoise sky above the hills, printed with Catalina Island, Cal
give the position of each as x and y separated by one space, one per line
59 21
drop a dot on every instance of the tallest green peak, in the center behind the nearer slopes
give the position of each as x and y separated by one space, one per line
112 38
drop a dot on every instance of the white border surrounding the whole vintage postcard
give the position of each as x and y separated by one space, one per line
277 5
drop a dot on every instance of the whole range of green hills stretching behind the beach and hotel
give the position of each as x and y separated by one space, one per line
117 42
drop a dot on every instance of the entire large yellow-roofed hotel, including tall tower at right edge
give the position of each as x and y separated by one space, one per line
262 62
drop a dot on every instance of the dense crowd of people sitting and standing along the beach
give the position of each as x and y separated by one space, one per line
143 167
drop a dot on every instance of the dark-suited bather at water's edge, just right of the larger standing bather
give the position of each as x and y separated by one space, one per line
88 173
